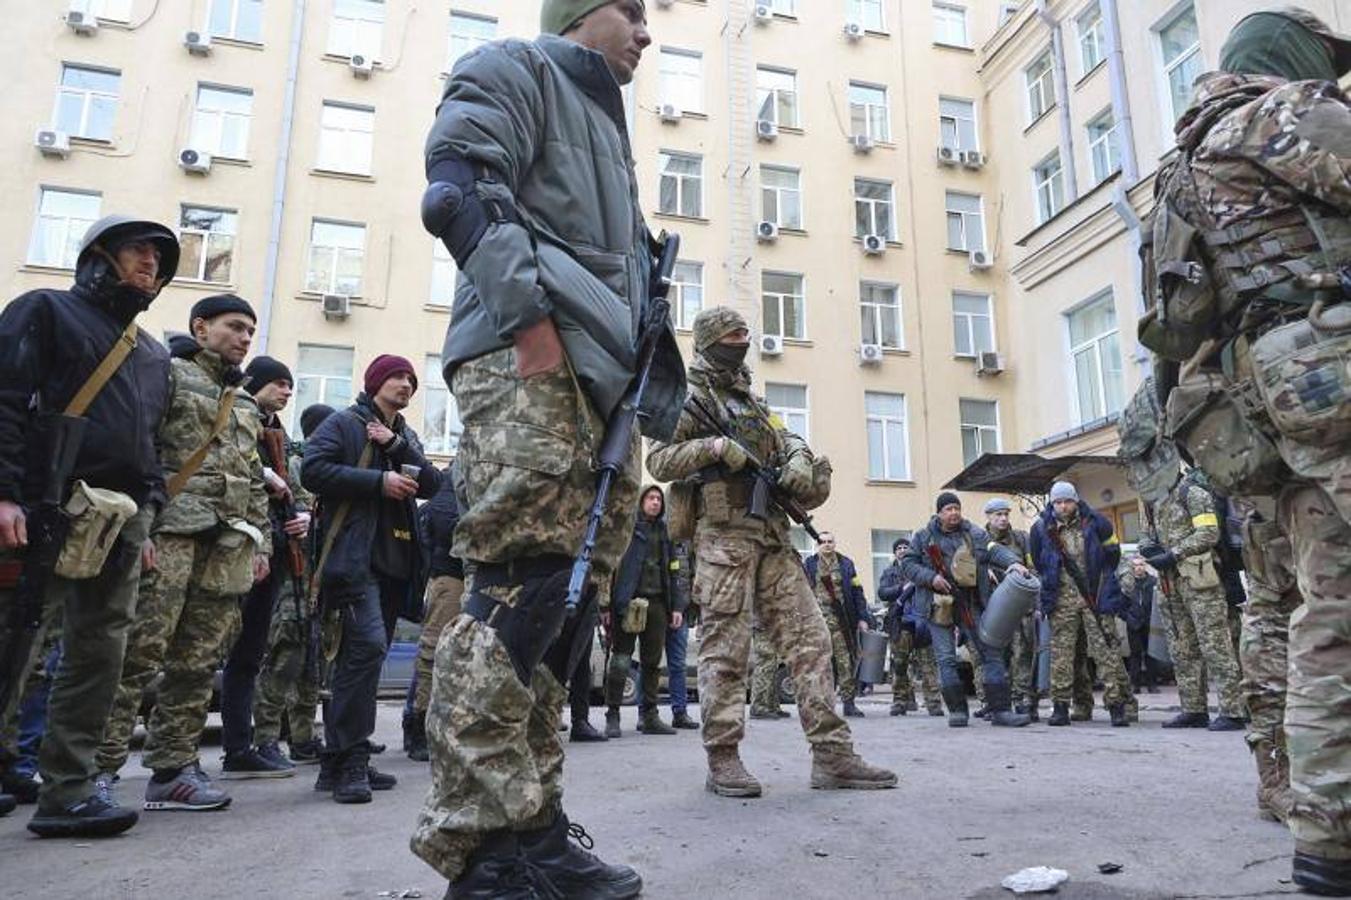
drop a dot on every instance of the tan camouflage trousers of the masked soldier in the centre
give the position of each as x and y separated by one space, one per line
734 578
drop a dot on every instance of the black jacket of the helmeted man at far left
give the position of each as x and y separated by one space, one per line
51 343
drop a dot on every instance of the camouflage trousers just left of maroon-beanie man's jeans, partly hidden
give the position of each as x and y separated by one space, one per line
284 691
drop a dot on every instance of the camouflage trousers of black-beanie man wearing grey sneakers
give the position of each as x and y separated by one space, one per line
183 632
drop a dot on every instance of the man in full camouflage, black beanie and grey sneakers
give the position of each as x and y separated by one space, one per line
213 541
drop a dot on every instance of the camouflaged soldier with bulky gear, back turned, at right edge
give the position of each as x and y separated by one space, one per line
1263 179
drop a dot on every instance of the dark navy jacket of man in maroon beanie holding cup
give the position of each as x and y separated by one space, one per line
330 472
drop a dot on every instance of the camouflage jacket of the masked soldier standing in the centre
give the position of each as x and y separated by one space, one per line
723 502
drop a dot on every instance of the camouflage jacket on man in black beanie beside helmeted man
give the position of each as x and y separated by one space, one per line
229 486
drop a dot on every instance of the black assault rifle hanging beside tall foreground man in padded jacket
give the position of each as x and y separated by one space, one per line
617 447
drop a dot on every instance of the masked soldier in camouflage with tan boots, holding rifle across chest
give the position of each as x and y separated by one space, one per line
749 564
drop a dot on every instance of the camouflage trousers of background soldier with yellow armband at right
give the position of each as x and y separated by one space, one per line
1202 648
